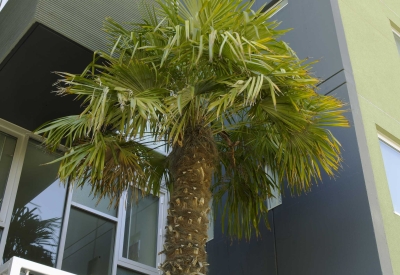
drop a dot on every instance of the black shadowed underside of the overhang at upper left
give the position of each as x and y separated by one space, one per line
26 78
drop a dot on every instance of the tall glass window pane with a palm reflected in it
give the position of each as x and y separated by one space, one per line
38 210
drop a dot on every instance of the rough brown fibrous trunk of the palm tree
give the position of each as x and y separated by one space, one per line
191 165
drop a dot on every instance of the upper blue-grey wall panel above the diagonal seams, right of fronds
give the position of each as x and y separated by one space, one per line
313 35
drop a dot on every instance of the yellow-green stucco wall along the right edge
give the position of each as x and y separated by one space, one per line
376 66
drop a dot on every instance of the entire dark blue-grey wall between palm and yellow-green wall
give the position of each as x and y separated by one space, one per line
328 231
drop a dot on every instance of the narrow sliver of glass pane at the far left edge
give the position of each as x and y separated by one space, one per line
7 148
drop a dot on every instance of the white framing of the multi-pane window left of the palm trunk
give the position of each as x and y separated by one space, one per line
22 135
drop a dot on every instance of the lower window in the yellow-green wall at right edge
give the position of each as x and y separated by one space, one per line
391 159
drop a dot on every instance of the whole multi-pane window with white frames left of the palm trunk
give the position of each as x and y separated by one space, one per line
43 221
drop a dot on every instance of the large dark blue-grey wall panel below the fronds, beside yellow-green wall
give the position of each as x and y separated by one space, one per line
329 231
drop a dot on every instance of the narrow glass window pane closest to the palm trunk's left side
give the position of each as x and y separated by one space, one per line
141 227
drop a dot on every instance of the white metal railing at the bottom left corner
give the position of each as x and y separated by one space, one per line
19 266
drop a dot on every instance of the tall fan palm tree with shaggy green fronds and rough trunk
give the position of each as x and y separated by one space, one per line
213 82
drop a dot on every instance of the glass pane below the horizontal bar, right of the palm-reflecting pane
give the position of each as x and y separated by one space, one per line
89 244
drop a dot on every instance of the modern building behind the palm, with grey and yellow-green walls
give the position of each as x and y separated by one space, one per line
347 225
